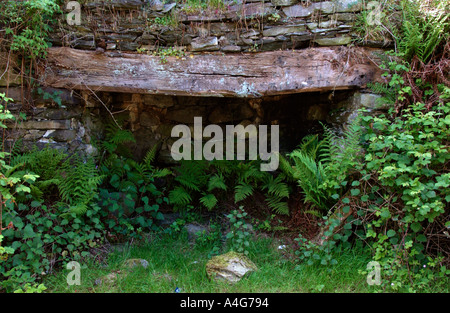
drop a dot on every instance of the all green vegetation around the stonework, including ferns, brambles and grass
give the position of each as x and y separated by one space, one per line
379 191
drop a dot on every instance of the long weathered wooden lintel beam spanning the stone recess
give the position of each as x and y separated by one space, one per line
214 74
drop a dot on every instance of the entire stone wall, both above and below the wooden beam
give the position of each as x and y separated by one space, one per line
78 122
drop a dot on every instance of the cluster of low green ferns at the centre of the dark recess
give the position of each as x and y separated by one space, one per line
209 180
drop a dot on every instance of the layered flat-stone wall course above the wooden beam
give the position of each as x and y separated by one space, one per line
236 26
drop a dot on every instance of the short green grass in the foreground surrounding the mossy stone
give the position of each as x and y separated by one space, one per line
176 262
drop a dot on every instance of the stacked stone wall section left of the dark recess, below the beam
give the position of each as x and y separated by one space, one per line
68 126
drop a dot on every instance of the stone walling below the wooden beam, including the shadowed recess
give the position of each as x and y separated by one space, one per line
79 123
